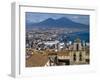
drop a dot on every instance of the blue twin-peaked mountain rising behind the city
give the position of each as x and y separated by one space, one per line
59 23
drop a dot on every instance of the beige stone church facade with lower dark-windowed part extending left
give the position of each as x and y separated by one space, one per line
77 54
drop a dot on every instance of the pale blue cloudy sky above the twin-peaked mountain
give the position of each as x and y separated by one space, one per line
34 17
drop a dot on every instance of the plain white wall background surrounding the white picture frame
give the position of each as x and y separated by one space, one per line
5 40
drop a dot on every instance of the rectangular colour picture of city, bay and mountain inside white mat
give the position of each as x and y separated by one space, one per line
54 39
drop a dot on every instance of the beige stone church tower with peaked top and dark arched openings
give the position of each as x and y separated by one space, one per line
77 55
